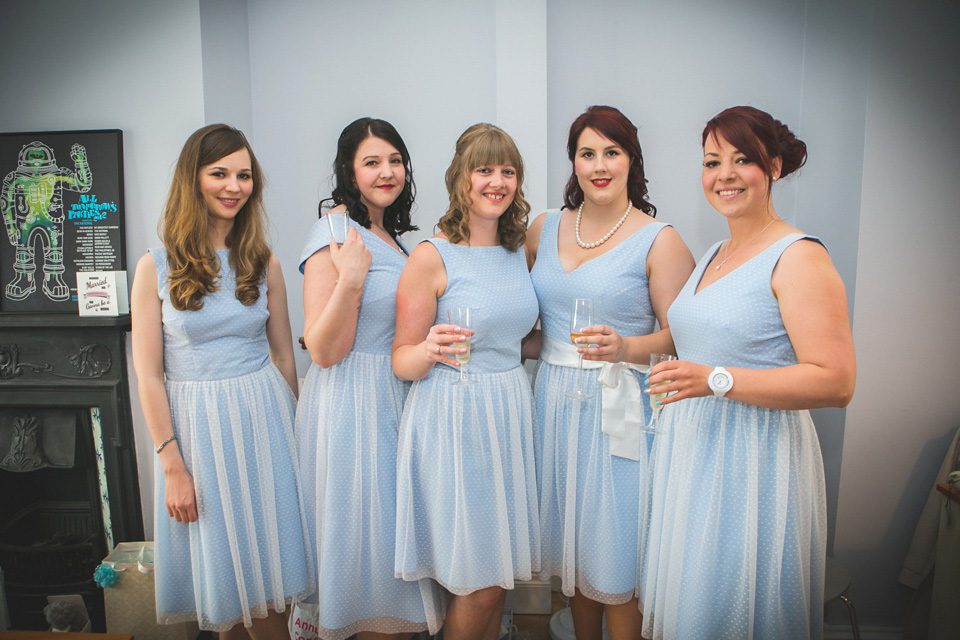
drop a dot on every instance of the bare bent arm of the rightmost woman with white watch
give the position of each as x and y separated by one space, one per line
813 305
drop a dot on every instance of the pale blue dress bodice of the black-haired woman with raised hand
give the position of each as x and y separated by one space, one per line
376 318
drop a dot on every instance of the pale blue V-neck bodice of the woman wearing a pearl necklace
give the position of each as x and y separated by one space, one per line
615 280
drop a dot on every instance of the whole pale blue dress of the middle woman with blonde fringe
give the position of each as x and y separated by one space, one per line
466 484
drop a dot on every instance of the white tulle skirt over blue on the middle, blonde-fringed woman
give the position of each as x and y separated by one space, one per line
466 488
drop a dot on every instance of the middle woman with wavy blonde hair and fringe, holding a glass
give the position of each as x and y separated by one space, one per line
466 486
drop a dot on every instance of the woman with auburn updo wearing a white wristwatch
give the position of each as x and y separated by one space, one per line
737 538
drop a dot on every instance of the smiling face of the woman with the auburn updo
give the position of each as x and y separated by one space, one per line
733 183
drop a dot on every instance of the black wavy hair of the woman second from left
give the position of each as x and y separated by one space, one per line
396 217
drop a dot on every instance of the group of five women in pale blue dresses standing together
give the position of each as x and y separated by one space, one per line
421 474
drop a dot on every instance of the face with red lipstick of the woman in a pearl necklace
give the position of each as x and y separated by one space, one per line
602 168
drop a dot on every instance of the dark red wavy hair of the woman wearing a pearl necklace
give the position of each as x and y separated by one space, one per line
612 124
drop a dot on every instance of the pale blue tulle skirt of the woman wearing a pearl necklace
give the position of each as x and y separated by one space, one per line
590 501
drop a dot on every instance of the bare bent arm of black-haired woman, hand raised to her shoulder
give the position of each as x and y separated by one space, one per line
332 289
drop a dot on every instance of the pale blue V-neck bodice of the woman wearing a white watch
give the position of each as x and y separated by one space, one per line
736 320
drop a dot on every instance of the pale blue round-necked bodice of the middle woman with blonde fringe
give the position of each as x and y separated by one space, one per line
495 283
